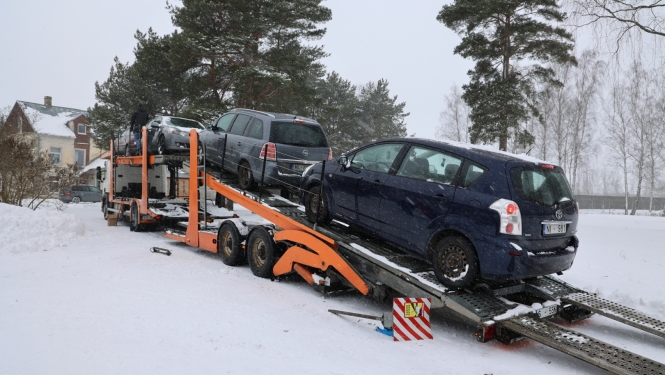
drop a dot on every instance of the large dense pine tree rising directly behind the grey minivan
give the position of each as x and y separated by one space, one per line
251 52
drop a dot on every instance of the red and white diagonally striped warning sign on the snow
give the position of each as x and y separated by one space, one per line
411 319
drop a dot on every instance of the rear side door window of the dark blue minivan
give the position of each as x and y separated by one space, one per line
430 165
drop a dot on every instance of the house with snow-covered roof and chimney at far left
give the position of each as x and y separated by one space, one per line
62 132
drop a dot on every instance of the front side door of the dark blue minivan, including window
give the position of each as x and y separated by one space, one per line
356 188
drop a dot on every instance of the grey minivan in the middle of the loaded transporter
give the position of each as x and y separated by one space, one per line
240 141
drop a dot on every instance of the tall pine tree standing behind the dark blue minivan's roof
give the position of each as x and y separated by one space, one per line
498 35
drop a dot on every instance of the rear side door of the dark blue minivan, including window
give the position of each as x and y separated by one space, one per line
419 194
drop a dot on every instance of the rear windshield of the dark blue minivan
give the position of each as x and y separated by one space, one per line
542 186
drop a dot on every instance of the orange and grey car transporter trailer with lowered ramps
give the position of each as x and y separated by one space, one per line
367 265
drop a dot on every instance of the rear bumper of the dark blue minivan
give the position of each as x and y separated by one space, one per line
506 259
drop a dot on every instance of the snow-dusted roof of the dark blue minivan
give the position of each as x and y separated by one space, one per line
472 151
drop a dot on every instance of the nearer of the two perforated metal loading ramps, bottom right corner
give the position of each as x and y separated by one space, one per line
588 349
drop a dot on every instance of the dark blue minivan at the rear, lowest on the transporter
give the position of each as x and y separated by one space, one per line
473 213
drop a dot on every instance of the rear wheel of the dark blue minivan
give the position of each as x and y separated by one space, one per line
455 263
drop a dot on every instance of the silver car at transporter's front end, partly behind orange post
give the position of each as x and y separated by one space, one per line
166 135
